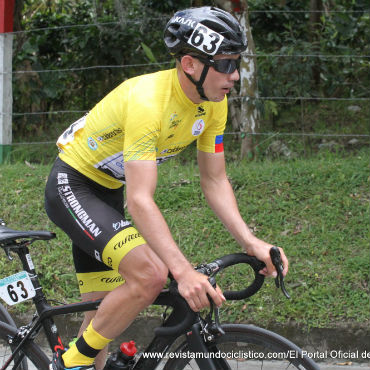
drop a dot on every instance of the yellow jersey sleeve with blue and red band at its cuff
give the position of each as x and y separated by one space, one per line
211 141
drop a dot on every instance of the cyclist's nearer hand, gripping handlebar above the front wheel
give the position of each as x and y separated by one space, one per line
194 287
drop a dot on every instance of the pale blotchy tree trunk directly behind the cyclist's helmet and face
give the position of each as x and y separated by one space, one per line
244 110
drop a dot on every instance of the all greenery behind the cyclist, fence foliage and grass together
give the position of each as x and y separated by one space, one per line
314 204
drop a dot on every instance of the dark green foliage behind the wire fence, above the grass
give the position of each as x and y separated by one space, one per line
68 35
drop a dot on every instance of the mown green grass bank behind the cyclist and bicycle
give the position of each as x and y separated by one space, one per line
317 209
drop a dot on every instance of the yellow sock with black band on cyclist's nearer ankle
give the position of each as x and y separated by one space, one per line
86 348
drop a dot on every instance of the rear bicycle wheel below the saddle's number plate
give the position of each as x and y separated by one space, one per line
35 357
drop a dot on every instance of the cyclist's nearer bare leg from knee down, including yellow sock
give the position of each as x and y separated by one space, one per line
145 275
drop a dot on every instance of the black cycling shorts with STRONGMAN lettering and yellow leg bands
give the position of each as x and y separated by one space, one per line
93 218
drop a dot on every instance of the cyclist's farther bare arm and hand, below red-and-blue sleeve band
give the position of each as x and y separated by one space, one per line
220 196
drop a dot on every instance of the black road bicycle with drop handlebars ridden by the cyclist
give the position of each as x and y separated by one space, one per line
185 340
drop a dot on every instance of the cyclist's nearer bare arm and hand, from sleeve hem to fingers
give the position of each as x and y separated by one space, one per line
141 181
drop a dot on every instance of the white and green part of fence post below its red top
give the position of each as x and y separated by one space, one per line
6 96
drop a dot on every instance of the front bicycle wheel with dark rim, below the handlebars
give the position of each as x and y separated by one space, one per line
245 347
